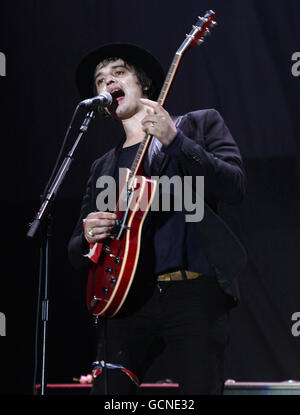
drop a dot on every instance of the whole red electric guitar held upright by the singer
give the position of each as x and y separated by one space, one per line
110 279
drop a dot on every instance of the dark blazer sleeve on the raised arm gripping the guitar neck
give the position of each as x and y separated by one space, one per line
205 147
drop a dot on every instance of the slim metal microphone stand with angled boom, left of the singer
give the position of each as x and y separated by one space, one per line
43 215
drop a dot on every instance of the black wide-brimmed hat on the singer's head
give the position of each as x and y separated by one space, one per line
131 53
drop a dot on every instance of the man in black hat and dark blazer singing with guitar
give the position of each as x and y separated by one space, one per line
185 281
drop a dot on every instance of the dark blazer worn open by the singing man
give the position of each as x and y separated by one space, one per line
207 149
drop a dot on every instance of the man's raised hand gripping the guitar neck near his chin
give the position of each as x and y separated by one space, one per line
158 122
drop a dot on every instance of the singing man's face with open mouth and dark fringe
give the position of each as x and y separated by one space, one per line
121 82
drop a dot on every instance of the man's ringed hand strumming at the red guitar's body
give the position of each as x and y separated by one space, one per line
97 226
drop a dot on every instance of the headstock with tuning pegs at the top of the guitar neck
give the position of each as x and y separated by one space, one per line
199 31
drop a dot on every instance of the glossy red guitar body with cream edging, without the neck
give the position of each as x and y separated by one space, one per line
110 279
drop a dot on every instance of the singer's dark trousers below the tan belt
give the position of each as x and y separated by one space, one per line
187 320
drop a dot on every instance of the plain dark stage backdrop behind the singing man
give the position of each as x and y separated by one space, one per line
244 71
